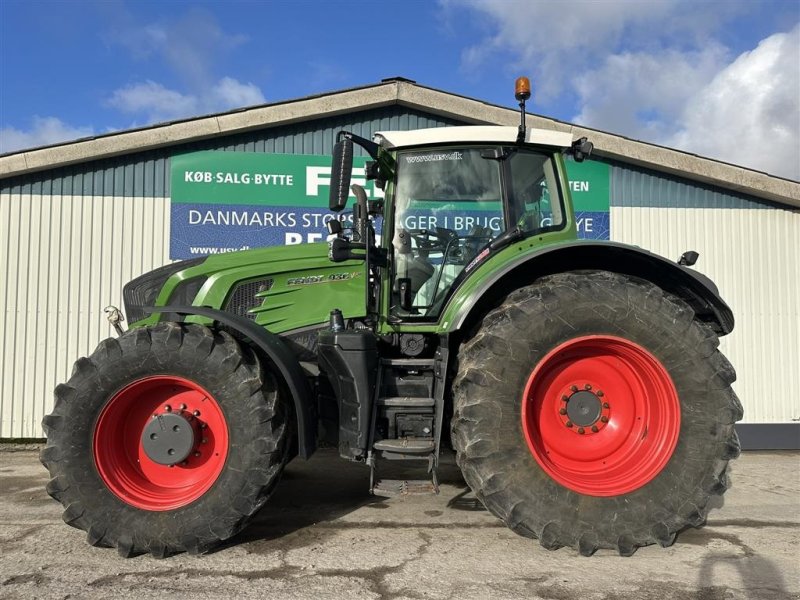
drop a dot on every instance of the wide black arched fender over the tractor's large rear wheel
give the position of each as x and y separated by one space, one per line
694 288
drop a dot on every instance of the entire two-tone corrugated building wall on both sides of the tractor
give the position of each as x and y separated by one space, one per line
70 238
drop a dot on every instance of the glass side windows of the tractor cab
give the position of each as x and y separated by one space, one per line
451 202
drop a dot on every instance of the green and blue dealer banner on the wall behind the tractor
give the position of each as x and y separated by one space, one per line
228 201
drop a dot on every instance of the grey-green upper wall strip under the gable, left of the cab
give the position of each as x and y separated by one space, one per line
147 174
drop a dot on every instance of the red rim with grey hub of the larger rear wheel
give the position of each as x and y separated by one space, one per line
622 426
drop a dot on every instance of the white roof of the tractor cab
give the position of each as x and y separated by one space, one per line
471 134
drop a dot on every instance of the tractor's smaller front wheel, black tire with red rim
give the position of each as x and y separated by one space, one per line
167 439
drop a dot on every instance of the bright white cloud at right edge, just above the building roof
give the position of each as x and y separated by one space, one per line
749 114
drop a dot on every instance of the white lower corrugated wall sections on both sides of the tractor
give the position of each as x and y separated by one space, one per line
64 258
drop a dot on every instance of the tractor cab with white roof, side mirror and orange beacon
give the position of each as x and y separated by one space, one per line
453 197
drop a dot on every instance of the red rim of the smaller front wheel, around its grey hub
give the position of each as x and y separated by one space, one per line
119 455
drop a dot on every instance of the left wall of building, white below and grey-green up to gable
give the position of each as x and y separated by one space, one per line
71 238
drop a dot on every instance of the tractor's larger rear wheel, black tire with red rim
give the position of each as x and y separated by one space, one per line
593 410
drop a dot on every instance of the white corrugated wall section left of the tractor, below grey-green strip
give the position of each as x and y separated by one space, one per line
64 258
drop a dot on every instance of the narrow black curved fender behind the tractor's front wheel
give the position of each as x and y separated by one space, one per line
285 362
